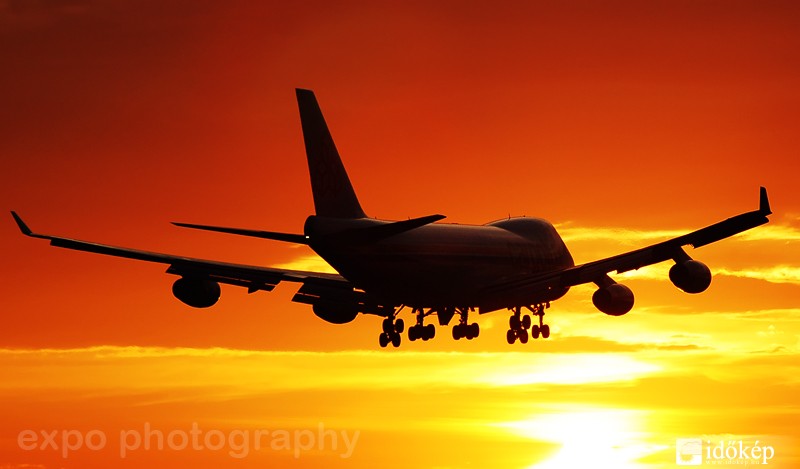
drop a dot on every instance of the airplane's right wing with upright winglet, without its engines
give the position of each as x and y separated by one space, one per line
597 271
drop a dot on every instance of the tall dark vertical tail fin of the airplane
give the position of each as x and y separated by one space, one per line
333 194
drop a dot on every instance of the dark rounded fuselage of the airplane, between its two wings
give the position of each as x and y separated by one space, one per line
444 265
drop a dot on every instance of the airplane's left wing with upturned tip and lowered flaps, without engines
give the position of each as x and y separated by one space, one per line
331 288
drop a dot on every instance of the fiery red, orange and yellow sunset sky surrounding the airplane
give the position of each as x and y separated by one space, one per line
624 123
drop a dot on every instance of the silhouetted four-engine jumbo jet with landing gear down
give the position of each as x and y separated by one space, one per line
444 270
